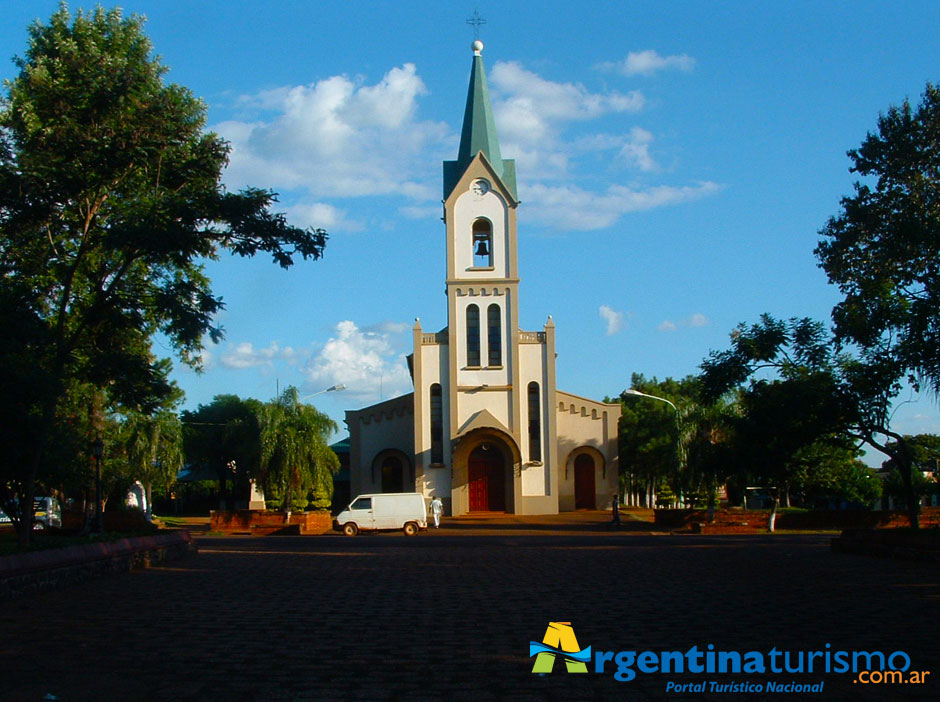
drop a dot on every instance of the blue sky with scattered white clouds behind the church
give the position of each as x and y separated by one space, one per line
675 162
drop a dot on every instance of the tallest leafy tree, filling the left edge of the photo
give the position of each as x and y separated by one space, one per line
110 197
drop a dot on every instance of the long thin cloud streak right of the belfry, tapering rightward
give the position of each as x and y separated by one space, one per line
570 207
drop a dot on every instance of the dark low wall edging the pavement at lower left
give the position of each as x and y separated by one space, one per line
52 569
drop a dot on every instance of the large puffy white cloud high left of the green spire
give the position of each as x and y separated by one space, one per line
337 137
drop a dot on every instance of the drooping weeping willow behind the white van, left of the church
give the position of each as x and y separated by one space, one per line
297 462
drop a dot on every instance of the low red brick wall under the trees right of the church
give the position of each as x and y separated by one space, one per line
757 520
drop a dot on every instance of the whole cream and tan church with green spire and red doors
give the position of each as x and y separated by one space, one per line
485 429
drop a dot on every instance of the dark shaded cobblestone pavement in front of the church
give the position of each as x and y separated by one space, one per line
448 615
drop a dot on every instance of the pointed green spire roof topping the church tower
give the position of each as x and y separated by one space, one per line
479 132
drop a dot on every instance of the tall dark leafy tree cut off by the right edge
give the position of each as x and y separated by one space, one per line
881 251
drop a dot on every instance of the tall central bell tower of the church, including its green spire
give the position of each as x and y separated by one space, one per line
482 268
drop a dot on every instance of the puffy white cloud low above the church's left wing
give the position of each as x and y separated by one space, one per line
365 361
